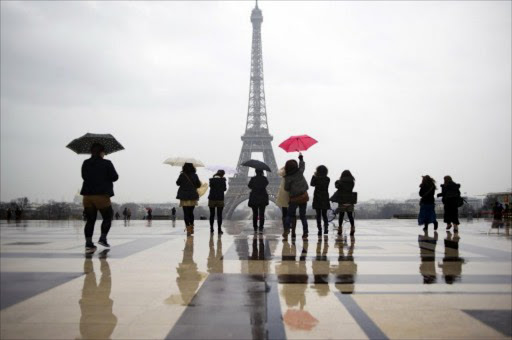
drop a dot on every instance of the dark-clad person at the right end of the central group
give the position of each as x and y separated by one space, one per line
345 186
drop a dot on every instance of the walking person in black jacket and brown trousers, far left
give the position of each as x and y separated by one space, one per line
99 176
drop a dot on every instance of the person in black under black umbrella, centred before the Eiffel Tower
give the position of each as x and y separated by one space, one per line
258 199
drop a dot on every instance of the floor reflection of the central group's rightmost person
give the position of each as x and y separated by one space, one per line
346 270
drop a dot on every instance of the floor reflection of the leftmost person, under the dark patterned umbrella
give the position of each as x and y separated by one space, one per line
97 321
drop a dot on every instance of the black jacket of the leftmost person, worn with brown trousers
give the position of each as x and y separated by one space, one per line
99 176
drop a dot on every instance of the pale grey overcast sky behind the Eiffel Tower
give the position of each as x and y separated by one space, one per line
391 90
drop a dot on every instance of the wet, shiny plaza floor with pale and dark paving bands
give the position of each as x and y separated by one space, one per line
391 280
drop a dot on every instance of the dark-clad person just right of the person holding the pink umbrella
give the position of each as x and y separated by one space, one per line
321 197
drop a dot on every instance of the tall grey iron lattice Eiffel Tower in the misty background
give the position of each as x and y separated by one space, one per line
257 138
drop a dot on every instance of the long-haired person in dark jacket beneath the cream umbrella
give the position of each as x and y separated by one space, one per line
188 183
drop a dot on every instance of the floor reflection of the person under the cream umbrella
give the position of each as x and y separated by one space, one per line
188 276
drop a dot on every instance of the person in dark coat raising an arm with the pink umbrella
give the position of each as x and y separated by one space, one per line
297 187
